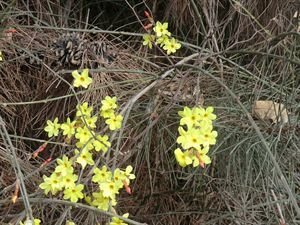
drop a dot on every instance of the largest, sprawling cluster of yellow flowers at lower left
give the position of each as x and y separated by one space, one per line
82 132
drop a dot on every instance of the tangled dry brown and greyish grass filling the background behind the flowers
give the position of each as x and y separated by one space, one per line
246 52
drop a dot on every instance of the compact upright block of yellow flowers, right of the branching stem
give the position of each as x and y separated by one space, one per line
197 137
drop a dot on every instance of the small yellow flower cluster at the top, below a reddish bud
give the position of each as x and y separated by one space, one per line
162 38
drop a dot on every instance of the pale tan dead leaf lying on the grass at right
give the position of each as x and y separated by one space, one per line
269 110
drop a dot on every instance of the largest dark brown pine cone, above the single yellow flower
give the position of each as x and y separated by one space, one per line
69 49
